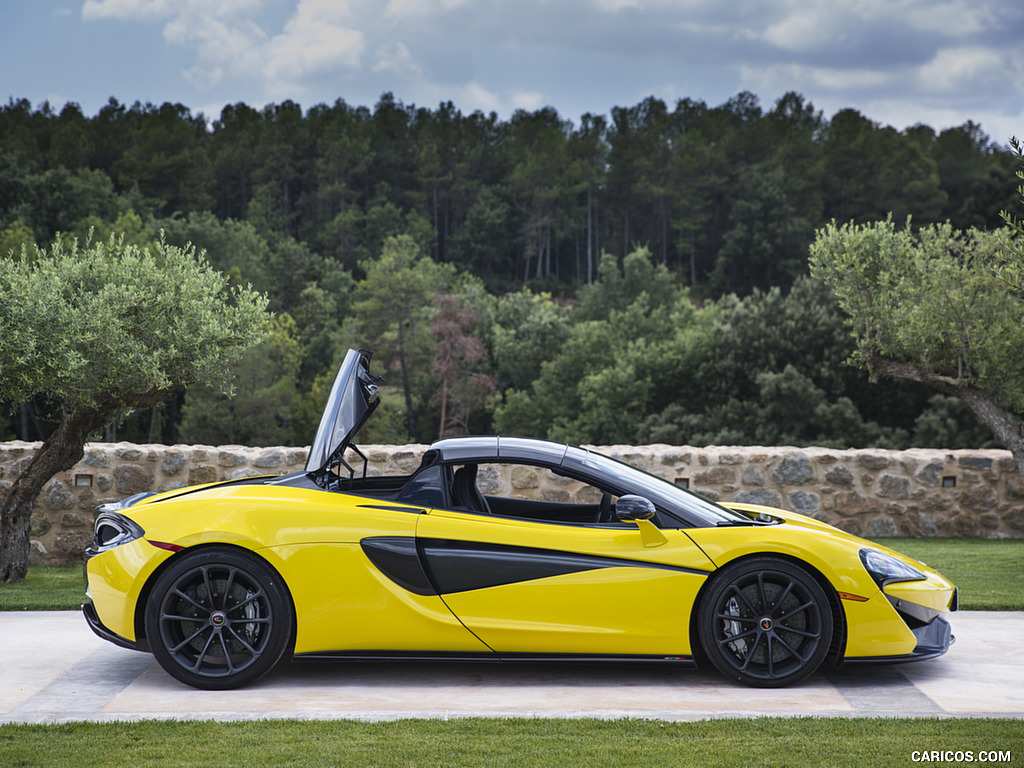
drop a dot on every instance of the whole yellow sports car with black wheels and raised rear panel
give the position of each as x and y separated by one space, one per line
222 582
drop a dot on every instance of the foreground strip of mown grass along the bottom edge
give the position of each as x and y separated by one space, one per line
763 742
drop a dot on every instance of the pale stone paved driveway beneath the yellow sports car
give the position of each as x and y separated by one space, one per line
55 670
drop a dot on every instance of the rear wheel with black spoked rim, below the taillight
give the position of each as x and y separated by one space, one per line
219 619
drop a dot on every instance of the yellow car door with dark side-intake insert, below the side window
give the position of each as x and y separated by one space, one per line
530 587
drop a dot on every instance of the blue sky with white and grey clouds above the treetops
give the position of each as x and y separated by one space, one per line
899 63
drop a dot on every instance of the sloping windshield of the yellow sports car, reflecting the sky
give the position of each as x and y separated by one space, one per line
694 508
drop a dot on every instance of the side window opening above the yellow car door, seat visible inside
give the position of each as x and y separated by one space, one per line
532 493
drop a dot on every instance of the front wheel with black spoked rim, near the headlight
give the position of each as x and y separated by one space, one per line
766 623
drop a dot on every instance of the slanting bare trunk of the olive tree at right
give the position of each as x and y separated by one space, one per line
1008 428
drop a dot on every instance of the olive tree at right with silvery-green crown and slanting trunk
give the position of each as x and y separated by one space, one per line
930 307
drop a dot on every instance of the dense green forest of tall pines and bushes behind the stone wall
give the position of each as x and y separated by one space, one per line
641 277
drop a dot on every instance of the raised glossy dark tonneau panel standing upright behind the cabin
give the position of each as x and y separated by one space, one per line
354 398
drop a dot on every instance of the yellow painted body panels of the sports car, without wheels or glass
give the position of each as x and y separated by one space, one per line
344 603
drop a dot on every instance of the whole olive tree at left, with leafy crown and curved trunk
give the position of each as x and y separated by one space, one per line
98 331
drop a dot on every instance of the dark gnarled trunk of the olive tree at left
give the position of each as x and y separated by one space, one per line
61 452
